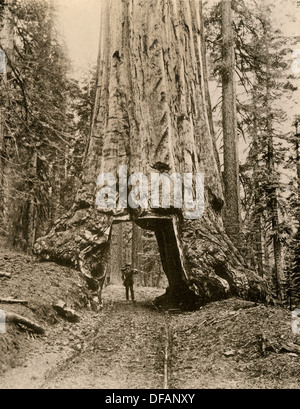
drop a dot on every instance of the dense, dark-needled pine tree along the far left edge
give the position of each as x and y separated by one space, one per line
39 120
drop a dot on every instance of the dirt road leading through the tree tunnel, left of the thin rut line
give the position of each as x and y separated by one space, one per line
119 347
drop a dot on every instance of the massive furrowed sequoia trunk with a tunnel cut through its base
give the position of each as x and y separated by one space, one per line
152 114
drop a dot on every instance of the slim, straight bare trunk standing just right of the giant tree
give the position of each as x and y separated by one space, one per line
232 211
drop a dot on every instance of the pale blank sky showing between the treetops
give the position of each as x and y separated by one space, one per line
79 25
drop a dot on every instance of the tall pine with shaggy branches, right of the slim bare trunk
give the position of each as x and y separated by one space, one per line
260 60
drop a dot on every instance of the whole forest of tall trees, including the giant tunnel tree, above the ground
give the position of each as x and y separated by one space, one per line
179 86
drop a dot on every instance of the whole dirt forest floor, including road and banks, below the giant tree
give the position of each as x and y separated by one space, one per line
231 344
